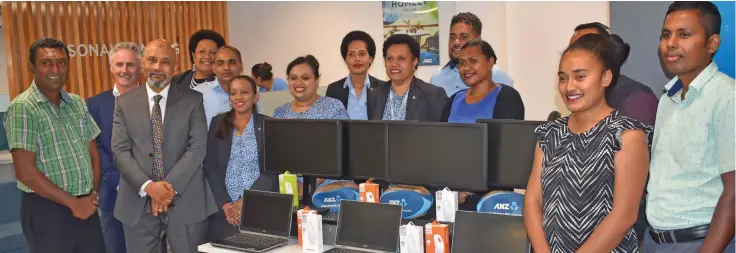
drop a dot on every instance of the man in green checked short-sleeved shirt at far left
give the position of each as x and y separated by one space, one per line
51 136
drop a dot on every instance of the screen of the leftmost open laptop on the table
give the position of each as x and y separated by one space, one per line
267 212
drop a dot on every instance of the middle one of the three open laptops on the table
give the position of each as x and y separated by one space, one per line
367 227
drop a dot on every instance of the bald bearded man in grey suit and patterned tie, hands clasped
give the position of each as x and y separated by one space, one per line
159 142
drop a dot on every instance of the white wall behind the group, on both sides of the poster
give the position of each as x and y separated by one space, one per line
528 38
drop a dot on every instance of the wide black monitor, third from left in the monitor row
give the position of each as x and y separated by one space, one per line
438 155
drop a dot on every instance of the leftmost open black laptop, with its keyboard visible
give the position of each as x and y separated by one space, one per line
264 225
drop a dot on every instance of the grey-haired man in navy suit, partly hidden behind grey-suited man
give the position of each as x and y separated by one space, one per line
125 64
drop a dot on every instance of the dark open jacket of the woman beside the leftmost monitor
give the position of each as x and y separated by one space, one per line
218 157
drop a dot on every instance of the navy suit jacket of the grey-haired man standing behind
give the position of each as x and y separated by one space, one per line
102 108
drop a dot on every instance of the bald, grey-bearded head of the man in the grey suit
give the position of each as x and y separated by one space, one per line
159 63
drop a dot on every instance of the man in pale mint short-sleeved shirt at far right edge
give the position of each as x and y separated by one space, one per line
690 201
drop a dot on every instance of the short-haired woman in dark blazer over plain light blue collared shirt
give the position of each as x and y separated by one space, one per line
358 50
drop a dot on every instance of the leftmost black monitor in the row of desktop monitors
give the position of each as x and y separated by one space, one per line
307 147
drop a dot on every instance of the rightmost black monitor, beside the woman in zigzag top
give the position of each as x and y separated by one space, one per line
511 145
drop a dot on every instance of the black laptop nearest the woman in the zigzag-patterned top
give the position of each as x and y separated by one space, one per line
485 232
